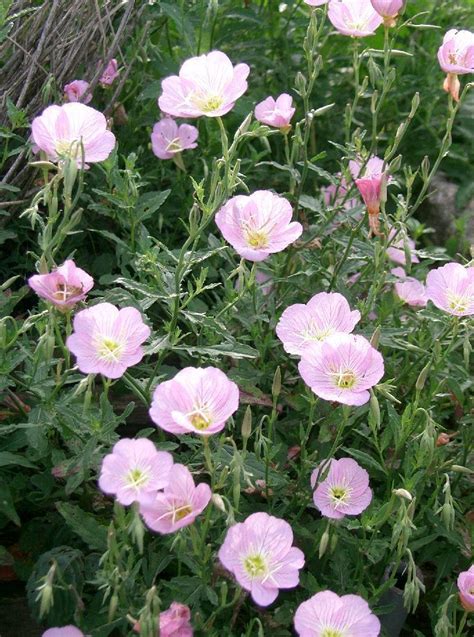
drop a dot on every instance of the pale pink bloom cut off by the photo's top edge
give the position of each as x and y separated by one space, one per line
354 17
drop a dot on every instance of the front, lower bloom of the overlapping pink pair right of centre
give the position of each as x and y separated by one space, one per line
342 368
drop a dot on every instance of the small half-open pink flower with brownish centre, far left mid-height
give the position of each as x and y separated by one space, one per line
64 287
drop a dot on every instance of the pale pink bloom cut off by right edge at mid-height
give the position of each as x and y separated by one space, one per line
451 288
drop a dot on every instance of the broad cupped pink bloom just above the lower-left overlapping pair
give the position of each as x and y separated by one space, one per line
197 400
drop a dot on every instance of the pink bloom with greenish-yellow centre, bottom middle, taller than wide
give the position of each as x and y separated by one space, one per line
260 555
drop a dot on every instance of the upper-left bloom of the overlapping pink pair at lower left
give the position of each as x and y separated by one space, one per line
134 468
